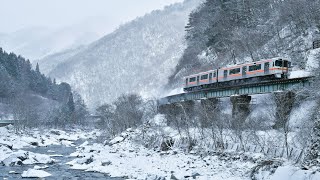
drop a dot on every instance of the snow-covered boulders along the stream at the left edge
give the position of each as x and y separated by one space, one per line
11 143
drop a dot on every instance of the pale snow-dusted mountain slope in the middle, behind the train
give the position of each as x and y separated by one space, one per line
138 57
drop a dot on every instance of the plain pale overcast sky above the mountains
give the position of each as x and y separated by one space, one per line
18 14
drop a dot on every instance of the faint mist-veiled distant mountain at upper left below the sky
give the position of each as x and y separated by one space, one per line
37 42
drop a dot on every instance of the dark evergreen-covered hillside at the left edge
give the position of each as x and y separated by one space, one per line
31 97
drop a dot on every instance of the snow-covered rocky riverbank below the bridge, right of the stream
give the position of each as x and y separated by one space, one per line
128 156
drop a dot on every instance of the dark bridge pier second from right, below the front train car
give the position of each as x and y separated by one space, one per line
240 109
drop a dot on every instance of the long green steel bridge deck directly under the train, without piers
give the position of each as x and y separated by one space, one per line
245 89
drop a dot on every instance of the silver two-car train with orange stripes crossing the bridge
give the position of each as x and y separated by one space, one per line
268 69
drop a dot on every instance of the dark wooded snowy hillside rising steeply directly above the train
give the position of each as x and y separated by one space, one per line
234 31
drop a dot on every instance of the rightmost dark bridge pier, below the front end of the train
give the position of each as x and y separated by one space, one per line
284 102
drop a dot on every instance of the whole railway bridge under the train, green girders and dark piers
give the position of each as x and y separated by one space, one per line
240 96
